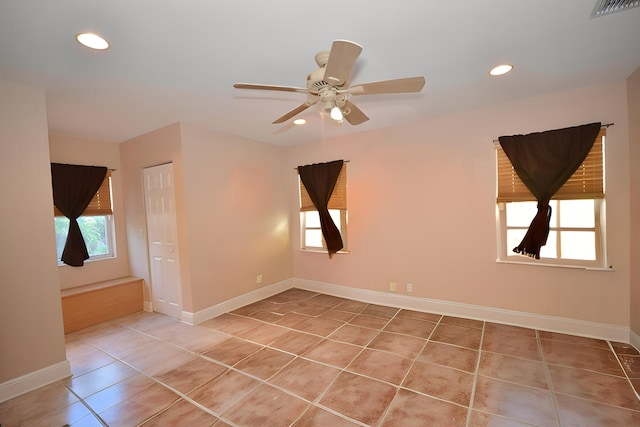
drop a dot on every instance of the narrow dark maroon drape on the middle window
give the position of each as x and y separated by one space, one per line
319 179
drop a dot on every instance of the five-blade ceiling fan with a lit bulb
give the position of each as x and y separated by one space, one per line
331 85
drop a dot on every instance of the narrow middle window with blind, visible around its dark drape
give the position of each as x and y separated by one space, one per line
310 233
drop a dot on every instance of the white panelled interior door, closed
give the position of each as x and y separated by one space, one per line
162 240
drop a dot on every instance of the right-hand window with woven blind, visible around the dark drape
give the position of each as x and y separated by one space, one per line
576 229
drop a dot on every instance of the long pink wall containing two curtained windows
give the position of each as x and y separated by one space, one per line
407 224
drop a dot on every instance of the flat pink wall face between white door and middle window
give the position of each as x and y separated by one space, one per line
237 211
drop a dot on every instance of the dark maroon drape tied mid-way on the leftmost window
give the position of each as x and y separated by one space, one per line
73 188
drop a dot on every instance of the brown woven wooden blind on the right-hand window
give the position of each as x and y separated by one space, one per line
587 182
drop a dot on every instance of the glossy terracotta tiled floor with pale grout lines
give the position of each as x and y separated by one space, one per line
306 359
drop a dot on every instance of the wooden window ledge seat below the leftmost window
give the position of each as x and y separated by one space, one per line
89 305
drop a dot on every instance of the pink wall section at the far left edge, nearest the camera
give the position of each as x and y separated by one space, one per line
31 332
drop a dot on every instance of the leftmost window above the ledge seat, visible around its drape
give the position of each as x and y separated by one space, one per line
96 225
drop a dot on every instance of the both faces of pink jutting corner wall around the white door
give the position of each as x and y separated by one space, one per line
231 208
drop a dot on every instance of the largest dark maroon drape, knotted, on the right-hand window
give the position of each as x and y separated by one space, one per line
544 161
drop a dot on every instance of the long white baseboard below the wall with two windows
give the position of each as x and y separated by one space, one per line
517 318
